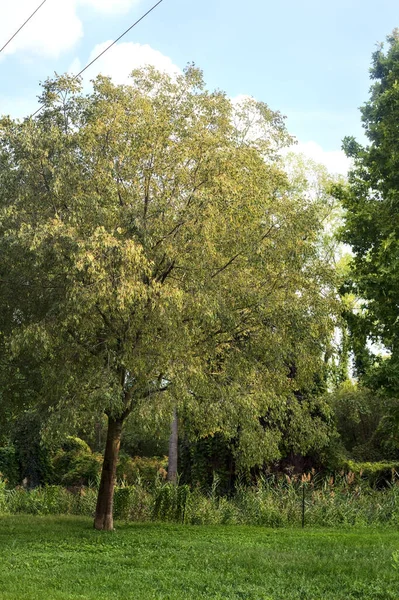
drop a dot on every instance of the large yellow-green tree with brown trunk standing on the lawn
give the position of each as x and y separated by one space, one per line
156 256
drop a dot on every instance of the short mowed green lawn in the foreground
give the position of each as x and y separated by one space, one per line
51 558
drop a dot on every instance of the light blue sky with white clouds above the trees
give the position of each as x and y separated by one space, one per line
310 60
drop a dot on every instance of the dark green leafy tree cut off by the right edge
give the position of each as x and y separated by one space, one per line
371 218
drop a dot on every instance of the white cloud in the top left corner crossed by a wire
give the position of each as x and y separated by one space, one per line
55 28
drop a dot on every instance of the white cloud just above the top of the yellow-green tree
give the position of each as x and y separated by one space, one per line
122 58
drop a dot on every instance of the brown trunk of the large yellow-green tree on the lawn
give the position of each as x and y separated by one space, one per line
105 500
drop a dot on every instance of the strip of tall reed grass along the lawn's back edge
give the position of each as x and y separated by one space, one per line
273 502
